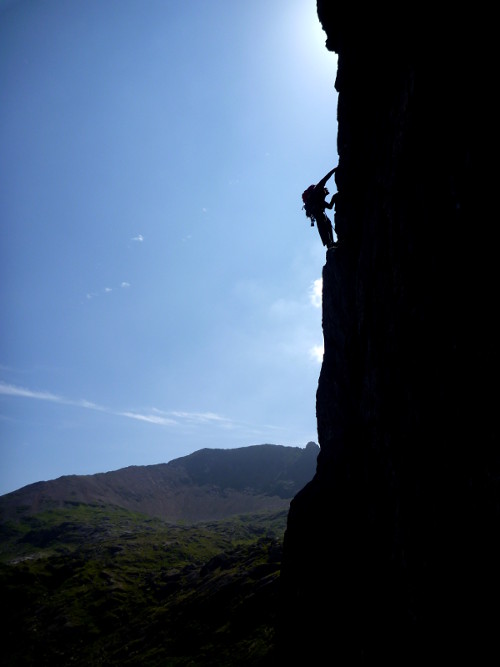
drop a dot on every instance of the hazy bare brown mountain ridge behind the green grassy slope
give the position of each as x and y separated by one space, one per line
210 484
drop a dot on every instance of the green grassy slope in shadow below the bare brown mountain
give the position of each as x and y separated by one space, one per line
98 585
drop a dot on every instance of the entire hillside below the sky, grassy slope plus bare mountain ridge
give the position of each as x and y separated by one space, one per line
173 564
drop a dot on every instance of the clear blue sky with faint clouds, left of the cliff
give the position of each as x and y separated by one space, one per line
160 285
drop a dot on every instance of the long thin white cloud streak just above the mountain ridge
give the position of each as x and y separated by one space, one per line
154 416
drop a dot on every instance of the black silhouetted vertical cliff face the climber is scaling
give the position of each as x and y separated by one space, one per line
391 551
